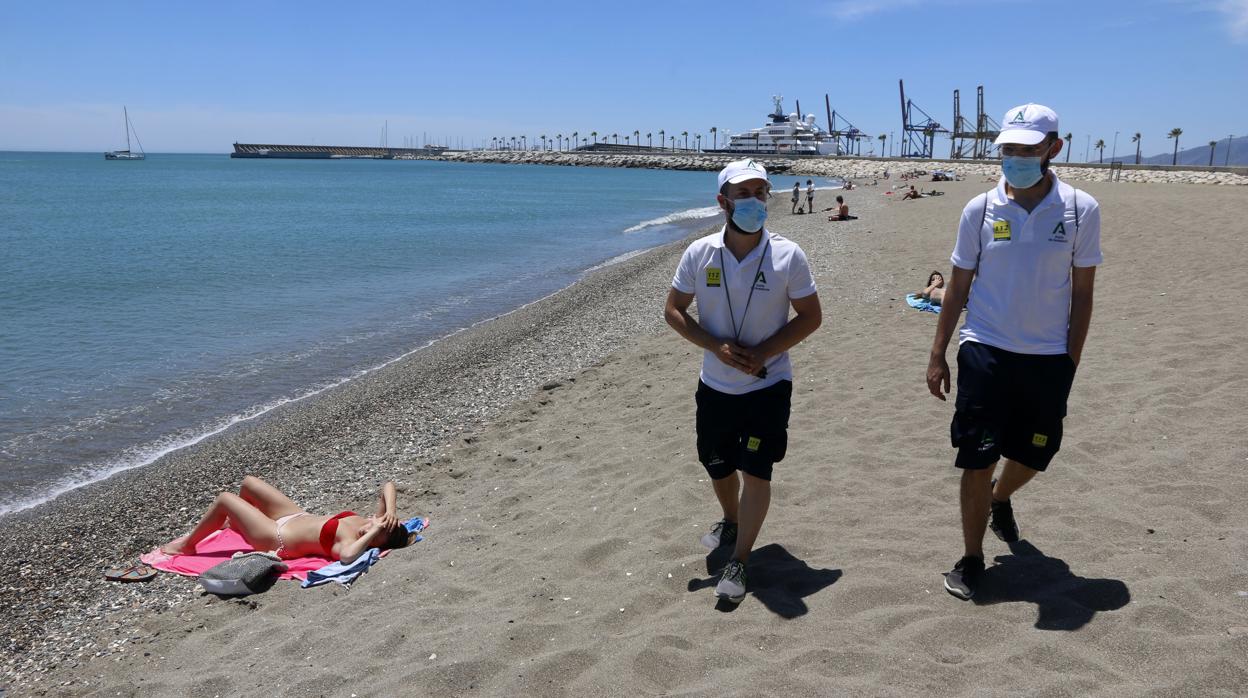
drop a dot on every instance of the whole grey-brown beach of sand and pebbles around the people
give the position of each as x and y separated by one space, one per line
553 450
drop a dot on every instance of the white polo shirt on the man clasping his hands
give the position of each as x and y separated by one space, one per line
712 273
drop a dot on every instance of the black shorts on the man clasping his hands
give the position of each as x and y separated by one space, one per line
743 433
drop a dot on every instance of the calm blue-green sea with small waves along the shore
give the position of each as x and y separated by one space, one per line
149 305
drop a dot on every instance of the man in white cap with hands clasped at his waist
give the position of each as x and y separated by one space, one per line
744 280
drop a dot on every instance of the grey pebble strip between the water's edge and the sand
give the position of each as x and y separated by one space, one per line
325 453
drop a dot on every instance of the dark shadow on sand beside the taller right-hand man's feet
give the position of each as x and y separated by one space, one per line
1066 602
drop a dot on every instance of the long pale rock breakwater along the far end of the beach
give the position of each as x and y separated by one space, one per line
846 168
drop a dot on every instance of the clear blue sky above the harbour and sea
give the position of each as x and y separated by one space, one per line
199 77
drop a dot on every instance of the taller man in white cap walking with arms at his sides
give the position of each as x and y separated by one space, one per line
1024 268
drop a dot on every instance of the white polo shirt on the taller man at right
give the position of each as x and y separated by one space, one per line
1021 297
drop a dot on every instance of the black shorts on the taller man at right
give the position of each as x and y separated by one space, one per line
1009 405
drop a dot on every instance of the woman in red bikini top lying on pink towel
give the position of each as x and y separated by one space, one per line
271 521
